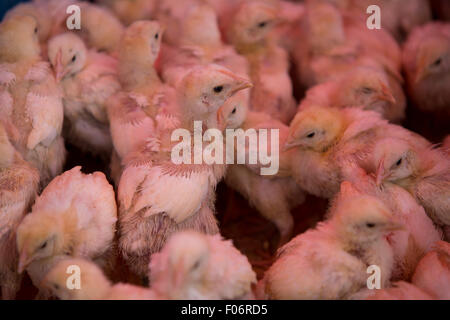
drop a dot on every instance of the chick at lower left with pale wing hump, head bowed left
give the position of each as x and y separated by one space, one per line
75 215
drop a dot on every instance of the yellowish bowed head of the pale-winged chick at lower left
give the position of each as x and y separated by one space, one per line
38 237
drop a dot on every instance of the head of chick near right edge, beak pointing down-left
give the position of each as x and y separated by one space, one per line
395 160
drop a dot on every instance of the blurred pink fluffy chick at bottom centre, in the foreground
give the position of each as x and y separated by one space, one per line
196 266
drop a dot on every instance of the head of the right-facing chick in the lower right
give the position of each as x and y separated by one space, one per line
361 217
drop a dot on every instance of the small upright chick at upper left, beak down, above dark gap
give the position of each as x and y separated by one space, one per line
88 78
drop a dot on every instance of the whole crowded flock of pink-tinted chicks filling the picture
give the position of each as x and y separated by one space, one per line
118 86
